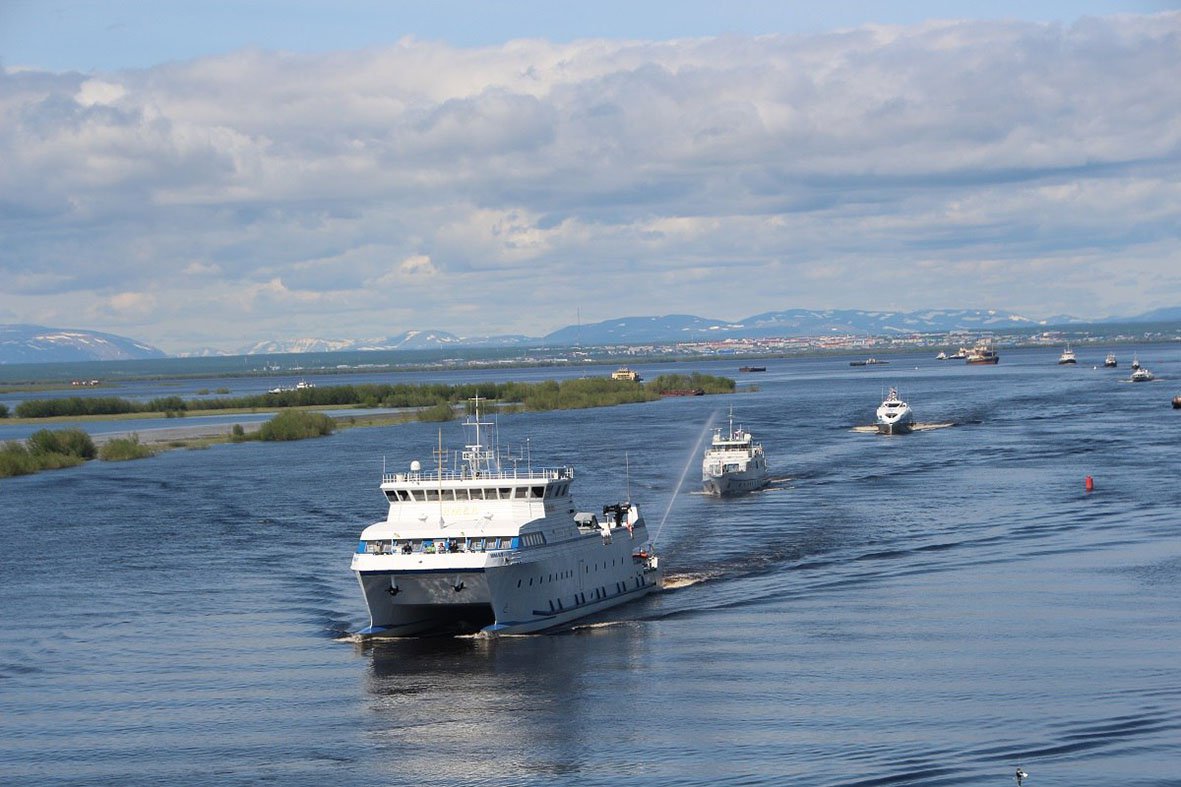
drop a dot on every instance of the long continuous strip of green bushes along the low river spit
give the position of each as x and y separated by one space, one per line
551 395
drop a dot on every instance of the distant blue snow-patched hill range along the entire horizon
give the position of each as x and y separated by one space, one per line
38 344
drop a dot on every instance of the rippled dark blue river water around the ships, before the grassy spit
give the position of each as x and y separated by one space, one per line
931 609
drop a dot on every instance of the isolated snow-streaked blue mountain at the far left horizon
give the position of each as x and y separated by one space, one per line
34 344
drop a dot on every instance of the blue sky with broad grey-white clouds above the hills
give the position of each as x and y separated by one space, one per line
213 174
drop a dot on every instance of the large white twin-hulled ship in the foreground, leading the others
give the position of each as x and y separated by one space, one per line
497 551
